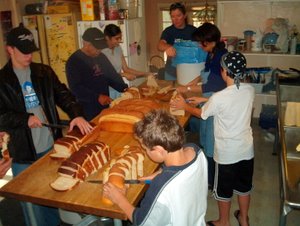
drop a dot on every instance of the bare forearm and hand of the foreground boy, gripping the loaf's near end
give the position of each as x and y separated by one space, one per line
117 196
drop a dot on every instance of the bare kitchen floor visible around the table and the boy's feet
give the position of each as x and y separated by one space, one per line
264 209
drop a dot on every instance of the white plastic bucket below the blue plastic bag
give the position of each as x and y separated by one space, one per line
188 72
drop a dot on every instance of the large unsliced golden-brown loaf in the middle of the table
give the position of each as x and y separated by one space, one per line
121 117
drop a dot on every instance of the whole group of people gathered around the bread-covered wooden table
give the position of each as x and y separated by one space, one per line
178 191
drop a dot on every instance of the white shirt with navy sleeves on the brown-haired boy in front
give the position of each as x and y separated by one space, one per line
176 197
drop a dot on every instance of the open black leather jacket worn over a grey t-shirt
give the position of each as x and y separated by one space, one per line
13 115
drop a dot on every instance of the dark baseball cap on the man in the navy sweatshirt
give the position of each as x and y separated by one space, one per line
95 37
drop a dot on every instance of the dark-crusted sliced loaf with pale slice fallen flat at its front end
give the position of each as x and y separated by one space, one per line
82 163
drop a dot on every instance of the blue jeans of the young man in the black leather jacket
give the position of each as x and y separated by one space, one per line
36 215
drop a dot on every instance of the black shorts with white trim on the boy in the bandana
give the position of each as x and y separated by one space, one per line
233 178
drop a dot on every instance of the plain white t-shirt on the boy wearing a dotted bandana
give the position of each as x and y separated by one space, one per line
232 109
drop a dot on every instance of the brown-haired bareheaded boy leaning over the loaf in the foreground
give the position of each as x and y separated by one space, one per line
178 191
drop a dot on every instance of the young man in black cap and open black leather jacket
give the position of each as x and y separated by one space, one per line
28 97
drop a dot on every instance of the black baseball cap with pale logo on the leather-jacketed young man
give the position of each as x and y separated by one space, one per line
22 39
